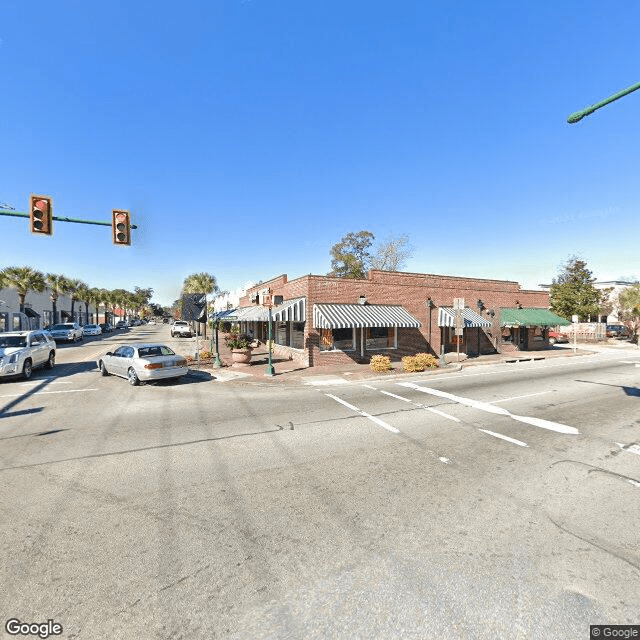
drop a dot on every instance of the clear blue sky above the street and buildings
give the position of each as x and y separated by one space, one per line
247 137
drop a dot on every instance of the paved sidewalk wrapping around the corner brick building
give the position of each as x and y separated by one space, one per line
288 372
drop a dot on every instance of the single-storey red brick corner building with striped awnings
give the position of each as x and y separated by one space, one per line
323 320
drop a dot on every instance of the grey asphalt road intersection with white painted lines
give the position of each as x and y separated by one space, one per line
499 502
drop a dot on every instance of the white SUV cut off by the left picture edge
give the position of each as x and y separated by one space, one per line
22 351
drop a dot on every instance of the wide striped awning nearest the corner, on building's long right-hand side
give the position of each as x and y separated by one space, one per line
343 316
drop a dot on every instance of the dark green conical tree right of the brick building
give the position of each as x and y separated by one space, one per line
572 291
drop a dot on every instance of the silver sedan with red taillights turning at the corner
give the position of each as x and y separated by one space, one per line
143 363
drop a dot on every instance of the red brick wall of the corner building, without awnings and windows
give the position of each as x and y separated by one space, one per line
410 290
